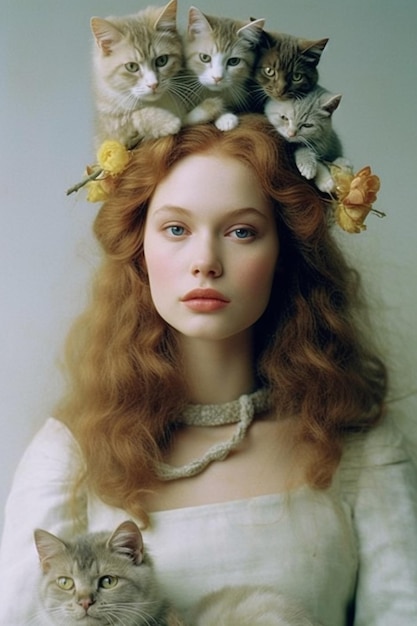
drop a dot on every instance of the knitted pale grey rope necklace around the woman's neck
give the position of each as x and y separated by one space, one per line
240 412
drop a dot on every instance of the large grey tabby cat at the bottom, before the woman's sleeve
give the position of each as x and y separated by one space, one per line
101 579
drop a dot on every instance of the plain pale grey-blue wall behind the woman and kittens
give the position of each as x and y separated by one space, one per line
47 253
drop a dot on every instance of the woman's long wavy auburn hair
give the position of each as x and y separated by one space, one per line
126 385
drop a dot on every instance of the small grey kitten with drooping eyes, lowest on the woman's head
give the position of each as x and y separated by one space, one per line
307 124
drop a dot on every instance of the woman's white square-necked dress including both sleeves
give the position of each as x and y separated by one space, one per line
348 554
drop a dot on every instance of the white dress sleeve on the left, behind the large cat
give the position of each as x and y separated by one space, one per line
39 498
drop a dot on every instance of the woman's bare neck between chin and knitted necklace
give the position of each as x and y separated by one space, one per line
218 371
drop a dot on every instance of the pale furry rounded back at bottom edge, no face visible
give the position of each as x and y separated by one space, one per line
248 606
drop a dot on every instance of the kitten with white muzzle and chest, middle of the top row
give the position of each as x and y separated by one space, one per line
220 54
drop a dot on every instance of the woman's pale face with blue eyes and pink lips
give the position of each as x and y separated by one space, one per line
211 247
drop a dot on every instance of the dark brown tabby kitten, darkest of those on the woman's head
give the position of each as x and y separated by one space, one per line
287 65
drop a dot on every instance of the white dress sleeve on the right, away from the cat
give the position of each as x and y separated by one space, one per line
384 505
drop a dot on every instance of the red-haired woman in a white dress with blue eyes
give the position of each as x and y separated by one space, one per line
221 285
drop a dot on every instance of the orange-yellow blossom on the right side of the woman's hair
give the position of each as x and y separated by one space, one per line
355 195
